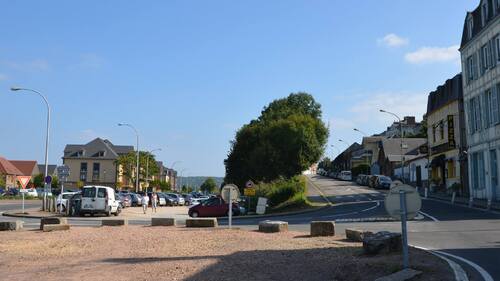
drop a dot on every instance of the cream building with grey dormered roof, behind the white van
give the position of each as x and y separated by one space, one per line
95 163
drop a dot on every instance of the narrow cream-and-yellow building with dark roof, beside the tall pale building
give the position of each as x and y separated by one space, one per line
446 136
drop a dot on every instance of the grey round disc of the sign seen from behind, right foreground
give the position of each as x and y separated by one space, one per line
393 205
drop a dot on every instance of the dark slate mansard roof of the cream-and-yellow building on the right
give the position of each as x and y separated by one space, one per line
450 91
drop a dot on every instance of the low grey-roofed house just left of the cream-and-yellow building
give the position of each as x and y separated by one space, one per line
394 150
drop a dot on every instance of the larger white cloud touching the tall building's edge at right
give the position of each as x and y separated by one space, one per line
433 55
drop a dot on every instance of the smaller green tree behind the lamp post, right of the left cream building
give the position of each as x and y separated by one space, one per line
128 163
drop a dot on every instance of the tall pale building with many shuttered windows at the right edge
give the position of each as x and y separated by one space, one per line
480 56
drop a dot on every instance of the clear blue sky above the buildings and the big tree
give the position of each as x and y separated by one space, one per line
188 74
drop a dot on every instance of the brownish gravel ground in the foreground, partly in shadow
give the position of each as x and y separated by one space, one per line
174 253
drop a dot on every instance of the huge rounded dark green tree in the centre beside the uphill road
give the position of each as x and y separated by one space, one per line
285 140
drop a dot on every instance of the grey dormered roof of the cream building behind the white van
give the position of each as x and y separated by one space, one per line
97 148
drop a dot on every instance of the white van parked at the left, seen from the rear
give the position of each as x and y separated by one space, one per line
99 200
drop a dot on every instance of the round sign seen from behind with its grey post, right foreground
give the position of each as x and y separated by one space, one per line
403 203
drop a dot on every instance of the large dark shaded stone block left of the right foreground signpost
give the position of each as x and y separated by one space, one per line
382 242
